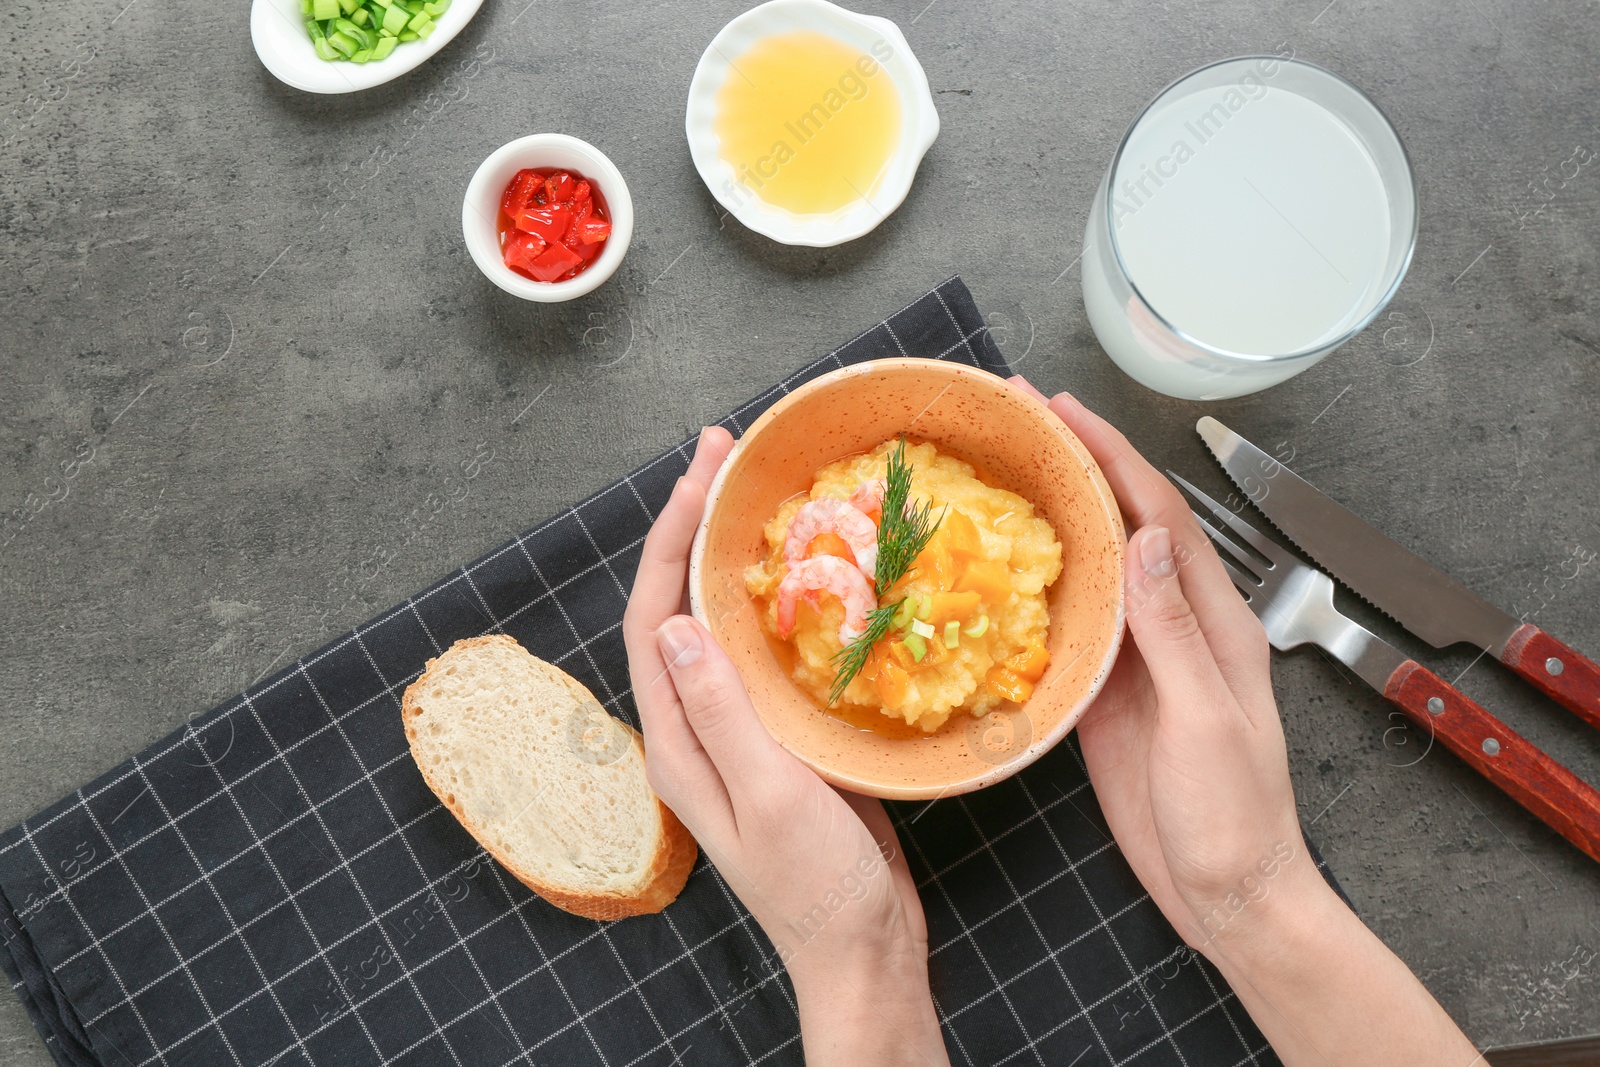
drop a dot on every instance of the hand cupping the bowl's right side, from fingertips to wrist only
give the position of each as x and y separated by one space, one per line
1185 745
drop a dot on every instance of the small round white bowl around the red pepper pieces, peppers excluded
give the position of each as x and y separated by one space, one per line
481 212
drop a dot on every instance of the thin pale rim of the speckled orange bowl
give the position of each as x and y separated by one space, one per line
1108 502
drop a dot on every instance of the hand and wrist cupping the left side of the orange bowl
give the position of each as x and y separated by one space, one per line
820 869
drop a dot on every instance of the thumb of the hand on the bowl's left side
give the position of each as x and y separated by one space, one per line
719 709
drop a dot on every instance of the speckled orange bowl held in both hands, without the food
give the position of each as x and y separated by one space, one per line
1018 446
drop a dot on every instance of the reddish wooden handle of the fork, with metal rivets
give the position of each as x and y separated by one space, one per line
1522 772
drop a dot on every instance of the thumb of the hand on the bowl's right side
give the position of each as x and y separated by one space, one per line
1164 626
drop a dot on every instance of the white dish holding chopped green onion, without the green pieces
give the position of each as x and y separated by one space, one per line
278 30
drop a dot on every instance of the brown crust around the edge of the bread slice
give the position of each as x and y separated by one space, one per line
676 847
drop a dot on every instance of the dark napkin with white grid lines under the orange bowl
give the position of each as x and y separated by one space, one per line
276 884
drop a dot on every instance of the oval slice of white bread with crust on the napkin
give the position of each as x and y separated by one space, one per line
546 781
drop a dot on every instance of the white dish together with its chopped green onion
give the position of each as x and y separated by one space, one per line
346 46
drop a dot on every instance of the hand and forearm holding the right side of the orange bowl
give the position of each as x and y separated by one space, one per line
1186 753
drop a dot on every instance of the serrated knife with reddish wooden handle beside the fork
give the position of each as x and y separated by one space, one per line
1422 597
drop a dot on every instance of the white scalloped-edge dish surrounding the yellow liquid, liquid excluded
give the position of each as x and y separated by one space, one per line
870 34
